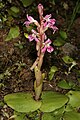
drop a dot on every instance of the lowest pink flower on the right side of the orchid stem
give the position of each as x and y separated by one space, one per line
46 46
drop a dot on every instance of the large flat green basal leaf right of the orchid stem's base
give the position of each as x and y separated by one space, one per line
52 101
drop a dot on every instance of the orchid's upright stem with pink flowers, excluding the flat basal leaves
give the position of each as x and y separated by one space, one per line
43 44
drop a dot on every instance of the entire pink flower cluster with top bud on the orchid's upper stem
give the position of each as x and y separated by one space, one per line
39 36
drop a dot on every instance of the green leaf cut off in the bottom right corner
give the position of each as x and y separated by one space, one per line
71 115
